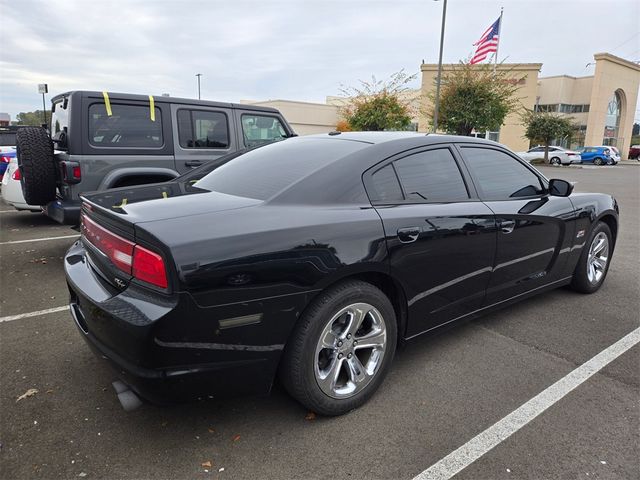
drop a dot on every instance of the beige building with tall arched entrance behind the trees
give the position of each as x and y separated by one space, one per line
602 105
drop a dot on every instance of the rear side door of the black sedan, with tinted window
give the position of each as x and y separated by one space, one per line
441 238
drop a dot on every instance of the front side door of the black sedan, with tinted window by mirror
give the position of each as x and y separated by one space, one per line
535 229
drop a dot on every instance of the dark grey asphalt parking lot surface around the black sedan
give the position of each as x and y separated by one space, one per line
442 390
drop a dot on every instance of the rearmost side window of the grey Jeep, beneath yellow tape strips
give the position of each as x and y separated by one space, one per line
127 126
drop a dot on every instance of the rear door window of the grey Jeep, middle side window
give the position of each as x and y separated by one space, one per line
202 129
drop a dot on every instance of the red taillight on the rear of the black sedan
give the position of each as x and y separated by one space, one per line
127 256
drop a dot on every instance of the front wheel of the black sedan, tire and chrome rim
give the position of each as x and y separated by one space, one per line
594 261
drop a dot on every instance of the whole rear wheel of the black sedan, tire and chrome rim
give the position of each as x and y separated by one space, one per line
341 348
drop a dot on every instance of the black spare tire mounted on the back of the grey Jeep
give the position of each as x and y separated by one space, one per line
34 150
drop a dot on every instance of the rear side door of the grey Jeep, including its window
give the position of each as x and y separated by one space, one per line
201 134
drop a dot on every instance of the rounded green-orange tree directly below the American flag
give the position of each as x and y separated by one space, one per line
475 97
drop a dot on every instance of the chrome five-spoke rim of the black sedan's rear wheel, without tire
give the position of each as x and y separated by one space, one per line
350 350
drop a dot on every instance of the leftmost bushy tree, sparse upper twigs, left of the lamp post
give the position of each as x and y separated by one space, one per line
379 104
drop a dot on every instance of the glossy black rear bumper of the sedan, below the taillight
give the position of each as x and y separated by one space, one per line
166 349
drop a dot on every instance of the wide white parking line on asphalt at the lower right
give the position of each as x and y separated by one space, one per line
475 448
